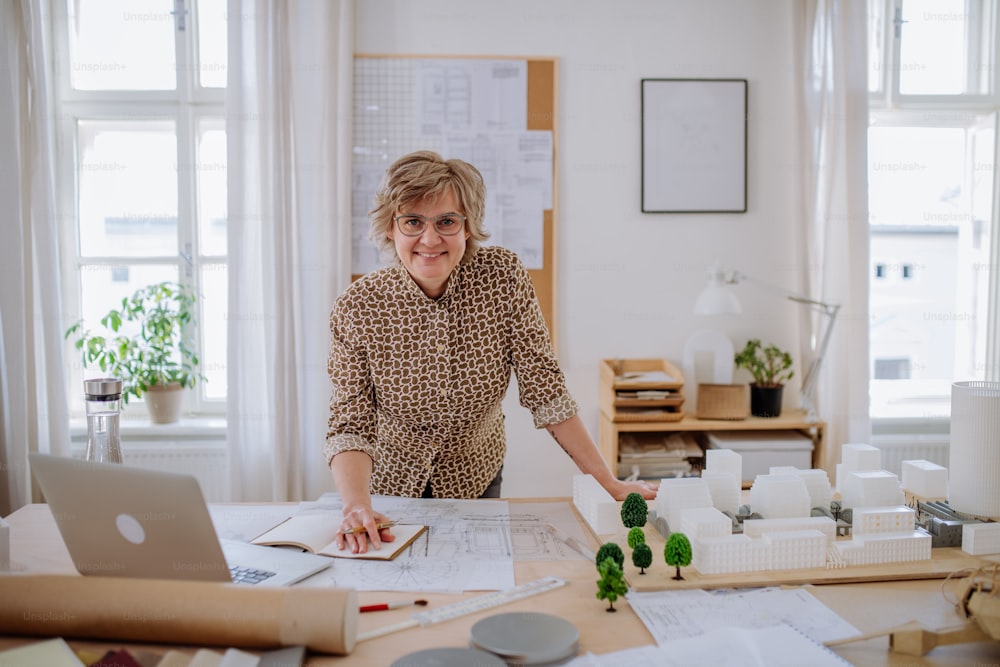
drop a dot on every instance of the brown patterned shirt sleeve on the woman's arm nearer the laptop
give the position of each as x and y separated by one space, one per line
352 405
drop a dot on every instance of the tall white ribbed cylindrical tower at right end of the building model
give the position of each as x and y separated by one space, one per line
974 451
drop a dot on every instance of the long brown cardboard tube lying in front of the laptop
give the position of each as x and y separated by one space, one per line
193 613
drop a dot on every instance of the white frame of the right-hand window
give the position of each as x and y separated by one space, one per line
888 106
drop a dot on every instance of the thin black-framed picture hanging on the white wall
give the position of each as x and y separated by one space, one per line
694 145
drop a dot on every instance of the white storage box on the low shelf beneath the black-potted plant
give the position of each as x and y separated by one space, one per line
761 450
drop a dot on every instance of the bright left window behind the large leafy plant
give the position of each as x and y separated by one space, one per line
142 163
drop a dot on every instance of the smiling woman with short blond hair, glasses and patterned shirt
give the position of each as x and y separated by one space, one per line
422 353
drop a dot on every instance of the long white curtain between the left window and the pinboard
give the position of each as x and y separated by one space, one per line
289 133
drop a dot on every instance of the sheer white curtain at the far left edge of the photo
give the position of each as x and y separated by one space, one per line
33 406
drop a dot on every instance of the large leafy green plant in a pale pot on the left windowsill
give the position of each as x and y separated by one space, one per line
156 361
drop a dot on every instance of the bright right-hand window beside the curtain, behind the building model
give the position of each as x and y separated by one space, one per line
931 151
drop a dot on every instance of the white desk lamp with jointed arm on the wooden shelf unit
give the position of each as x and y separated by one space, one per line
717 299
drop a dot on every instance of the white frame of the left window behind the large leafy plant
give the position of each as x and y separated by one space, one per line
186 106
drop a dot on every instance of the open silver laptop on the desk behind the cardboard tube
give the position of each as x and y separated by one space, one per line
122 521
